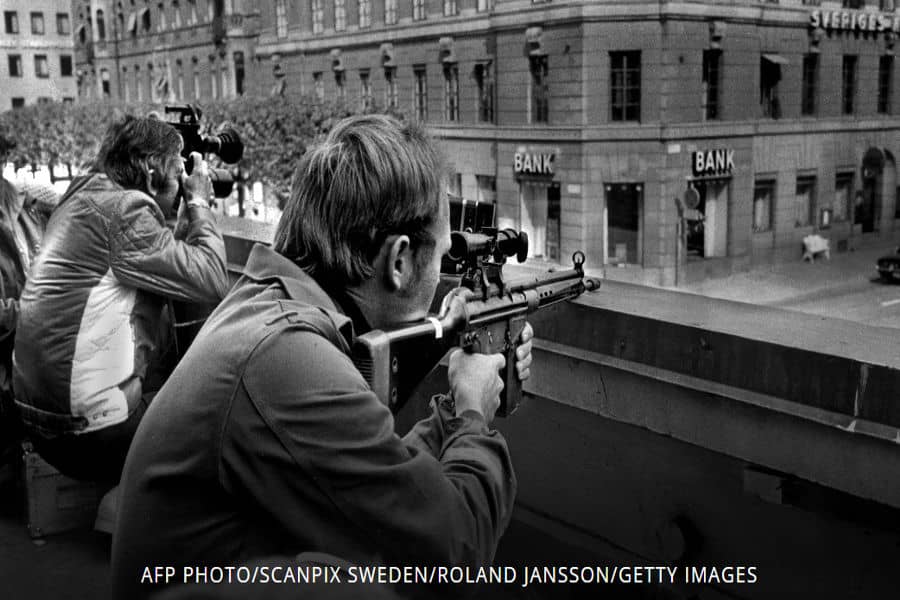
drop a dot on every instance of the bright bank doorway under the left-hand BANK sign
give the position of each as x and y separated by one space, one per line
539 217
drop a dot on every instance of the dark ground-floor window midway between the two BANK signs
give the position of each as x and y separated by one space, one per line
624 203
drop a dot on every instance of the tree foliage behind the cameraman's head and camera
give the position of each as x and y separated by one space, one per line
275 131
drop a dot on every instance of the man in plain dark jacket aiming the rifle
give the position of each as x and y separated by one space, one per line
282 447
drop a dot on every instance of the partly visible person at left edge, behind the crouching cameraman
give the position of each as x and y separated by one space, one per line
24 210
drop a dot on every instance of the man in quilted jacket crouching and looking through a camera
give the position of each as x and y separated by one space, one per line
91 318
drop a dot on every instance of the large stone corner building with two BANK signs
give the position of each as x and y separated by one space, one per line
669 141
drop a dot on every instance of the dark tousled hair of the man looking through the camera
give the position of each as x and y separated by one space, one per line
133 144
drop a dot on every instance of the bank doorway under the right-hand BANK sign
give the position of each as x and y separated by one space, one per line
706 226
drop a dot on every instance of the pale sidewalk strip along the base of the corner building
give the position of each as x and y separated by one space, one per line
794 281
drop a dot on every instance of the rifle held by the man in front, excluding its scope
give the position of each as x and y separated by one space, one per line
394 361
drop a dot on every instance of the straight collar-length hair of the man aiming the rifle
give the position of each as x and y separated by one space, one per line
373 176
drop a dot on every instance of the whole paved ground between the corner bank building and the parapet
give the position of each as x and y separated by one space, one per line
845 287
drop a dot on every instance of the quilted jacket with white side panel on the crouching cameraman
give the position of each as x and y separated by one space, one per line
90 313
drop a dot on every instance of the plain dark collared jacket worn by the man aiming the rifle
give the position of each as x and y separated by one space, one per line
266 441
